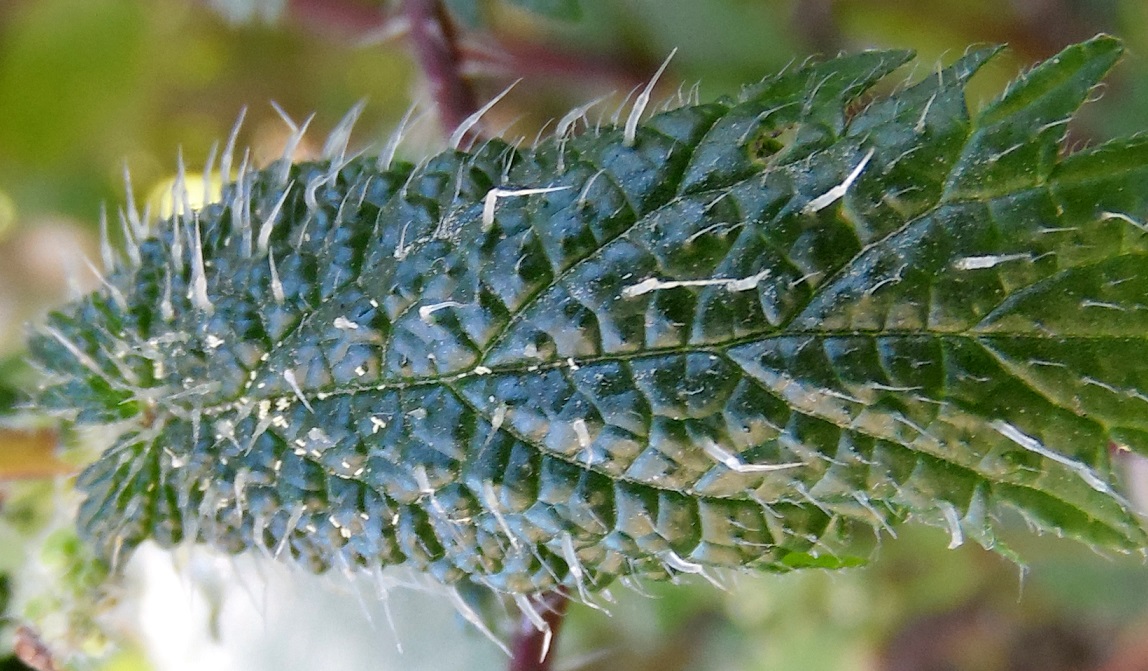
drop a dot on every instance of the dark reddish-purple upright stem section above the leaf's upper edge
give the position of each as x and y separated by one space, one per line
436 47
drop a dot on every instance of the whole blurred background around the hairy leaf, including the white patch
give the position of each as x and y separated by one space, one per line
90 87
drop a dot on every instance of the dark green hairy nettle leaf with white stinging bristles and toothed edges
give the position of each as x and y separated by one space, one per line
728 337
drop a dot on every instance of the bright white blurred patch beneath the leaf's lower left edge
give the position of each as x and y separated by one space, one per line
198 610
